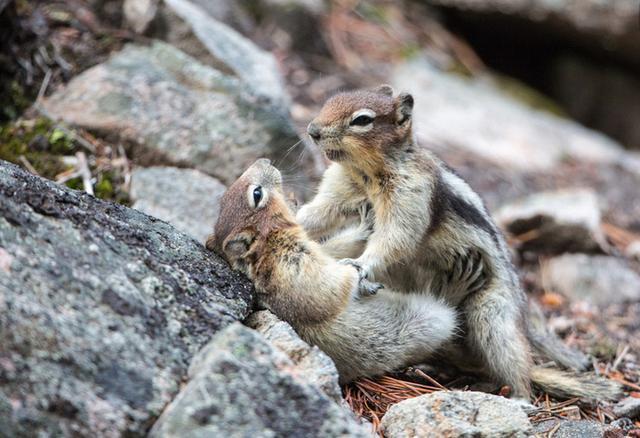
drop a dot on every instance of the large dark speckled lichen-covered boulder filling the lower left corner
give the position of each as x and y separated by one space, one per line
101 309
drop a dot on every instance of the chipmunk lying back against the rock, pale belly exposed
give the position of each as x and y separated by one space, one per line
257 234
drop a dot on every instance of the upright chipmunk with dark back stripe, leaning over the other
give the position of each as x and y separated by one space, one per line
428 226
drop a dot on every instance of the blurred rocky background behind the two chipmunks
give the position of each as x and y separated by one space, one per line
161 104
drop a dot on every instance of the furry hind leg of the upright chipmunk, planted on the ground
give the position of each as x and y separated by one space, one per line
497 337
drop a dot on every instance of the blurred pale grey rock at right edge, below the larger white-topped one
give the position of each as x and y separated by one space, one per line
598 279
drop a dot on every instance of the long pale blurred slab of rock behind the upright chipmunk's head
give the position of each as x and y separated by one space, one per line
494 126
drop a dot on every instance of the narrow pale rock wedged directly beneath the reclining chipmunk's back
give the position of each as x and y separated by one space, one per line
319 369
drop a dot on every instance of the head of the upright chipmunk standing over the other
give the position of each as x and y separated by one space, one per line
362 124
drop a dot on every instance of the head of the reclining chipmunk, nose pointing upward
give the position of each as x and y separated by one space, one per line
252 206
